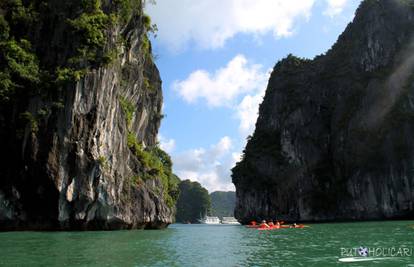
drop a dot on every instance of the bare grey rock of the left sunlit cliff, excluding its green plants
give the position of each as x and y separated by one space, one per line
76 169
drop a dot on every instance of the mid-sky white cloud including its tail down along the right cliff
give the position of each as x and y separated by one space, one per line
240 86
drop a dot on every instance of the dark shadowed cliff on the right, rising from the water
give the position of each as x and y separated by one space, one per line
333 140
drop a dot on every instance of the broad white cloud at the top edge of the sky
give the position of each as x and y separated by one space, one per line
210 23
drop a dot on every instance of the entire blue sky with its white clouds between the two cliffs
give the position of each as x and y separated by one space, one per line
215 58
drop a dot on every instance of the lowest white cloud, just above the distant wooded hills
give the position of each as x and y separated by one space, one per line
211 167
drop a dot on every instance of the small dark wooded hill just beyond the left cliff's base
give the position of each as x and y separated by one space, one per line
194 201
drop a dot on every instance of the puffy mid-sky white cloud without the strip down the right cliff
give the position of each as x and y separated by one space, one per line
223 86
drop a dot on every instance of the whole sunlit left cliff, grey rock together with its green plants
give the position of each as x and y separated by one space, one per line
80 110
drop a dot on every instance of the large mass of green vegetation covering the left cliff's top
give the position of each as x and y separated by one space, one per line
86 25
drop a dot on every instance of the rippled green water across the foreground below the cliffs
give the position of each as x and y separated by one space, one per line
202 245
